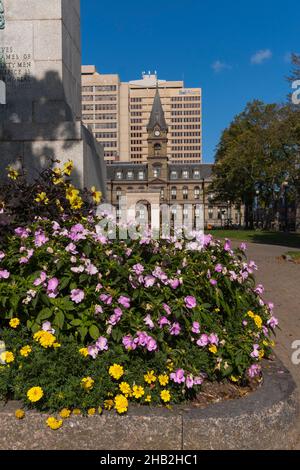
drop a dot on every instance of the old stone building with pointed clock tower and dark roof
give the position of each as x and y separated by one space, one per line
159 181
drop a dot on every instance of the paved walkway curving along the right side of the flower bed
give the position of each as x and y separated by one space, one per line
282 286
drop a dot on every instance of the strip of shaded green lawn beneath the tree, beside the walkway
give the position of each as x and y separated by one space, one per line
291 240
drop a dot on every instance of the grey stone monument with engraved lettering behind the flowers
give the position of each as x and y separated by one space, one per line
40 64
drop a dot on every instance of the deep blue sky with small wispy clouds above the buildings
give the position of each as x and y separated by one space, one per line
235 50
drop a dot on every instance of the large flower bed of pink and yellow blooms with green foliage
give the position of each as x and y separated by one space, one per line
90 323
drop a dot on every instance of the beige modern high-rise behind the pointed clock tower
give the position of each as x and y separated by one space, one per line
118 114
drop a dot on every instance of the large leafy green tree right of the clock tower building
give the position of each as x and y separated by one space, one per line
256 154
